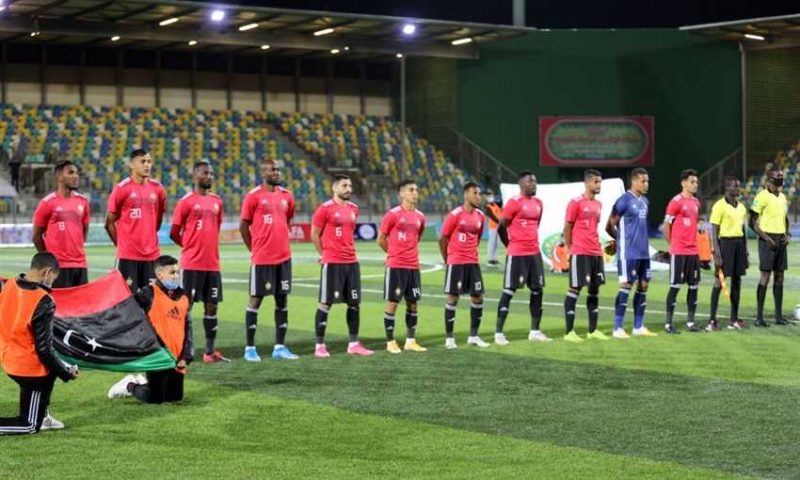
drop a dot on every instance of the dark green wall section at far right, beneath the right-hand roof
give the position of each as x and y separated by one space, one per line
773 102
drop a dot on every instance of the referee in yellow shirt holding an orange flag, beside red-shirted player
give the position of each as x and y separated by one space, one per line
728 216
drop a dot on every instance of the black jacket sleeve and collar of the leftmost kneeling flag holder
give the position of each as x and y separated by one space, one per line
42 325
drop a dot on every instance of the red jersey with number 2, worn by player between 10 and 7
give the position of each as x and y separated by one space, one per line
523 215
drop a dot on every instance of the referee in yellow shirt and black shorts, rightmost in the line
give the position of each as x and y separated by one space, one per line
768 218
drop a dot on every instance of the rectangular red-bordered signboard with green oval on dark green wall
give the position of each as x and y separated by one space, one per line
579 141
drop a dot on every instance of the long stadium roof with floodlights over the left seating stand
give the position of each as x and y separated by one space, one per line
147 24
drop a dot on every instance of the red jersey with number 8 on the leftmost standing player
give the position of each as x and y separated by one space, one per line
64 220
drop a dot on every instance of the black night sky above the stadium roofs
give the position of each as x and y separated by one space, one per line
555 13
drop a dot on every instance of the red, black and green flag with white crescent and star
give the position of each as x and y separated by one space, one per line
99 325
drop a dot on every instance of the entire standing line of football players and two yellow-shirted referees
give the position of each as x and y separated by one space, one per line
137 204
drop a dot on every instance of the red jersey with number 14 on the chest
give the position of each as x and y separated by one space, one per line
403 229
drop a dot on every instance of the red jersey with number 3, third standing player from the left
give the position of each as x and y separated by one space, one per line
199 218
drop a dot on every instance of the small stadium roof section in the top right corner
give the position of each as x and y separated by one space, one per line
755 33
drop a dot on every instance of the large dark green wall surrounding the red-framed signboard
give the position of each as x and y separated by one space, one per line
691 86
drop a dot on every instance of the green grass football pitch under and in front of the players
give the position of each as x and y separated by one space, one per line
710 405
